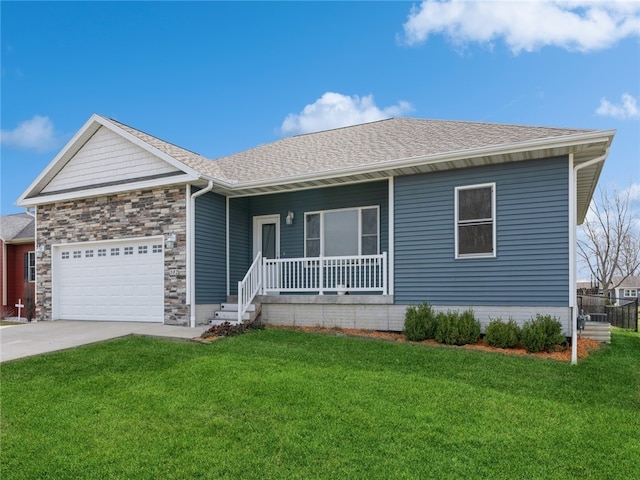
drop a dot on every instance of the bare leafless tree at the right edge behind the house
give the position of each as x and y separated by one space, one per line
611 244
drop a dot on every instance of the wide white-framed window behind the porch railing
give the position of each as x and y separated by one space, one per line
352 231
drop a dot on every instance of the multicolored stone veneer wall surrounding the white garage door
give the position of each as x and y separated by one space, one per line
140 213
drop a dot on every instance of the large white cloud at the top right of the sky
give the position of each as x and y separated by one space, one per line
573 25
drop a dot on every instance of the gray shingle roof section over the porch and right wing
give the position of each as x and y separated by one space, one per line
374 143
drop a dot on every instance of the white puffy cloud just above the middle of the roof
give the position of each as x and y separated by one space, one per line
334 110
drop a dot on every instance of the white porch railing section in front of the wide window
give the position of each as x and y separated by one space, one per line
358 273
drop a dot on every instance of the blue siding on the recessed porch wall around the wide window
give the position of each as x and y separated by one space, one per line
292 236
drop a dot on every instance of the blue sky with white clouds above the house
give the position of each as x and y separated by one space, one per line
217 78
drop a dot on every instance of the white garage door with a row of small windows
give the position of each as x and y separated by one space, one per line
114 281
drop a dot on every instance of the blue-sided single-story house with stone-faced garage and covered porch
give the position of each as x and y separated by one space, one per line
393 212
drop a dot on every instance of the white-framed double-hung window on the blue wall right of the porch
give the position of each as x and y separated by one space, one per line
475 221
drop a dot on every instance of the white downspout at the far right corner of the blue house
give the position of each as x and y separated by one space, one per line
573 261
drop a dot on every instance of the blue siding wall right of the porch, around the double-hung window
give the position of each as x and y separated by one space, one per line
532 237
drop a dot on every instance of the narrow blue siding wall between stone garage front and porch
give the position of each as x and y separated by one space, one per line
210 249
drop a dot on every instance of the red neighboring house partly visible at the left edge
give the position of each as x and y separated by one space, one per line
17 233
